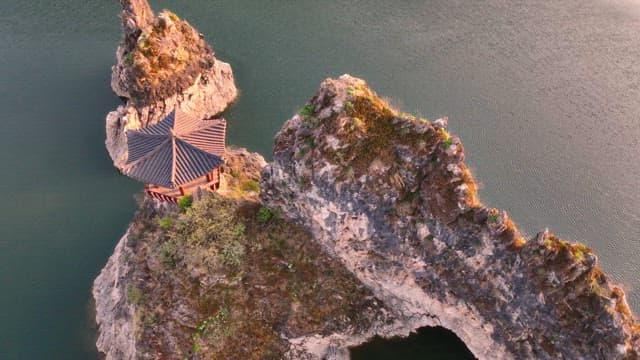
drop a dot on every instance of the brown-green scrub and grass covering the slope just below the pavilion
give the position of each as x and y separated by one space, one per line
226 259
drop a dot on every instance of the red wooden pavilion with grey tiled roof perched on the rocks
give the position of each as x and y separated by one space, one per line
176 156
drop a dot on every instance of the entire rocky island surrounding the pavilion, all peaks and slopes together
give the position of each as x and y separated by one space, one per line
366 223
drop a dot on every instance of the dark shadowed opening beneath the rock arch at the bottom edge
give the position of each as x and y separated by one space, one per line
433 343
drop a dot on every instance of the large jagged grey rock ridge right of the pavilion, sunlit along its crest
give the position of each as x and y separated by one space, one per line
390 196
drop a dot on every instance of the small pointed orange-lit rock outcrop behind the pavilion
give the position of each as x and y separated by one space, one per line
163 61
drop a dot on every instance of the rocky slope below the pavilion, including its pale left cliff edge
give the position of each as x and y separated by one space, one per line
227 279
